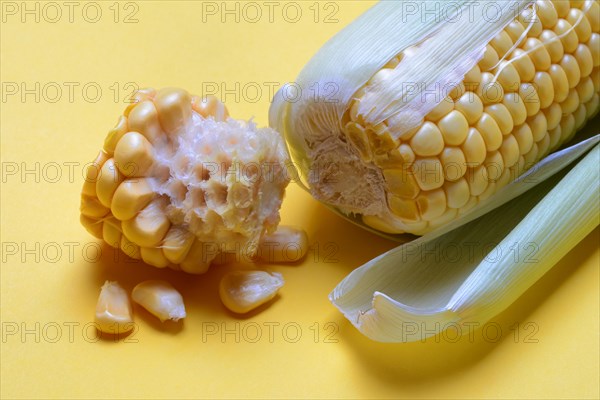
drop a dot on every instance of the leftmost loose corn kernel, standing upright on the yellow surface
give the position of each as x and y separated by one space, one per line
113 310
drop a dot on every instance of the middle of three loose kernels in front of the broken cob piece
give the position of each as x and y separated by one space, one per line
160 298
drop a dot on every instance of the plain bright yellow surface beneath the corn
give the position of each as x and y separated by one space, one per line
53 297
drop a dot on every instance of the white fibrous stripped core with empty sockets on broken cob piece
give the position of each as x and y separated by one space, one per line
224 180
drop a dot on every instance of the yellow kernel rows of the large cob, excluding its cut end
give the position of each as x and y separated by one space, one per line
536 84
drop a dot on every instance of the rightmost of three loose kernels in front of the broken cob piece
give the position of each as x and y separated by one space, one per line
243 291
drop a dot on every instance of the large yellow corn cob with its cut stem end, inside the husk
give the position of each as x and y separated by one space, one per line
534 85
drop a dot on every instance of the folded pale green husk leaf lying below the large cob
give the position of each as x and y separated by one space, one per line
472 273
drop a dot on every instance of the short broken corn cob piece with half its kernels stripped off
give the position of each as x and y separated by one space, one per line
179 182
